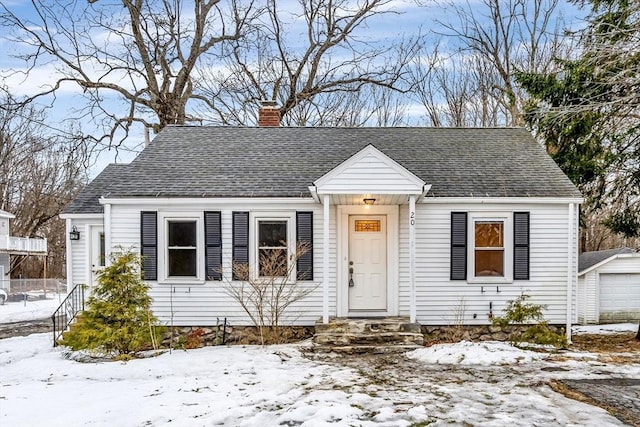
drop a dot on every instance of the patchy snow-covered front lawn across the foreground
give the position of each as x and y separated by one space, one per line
488 384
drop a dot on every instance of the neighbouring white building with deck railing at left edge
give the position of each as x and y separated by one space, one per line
15 246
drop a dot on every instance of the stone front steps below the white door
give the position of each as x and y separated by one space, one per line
367 335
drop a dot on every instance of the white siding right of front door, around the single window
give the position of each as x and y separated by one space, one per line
440 300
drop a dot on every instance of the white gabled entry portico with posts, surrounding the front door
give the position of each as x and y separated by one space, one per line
367 190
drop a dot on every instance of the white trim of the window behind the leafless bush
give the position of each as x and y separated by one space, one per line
254 219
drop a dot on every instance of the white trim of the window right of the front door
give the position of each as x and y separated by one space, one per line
507 219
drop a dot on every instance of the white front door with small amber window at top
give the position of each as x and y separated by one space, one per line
367 262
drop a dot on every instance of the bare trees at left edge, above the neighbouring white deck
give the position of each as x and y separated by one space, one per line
40 173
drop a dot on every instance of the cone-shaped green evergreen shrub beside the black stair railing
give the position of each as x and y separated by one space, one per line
118 320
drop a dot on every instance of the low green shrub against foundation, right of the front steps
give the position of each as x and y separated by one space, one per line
522 312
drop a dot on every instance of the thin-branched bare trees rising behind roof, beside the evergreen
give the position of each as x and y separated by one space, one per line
475 85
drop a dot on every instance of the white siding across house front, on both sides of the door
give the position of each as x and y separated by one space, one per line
438 298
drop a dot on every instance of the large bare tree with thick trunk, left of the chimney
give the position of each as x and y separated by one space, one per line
140 55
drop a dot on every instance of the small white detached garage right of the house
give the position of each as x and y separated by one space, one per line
609 286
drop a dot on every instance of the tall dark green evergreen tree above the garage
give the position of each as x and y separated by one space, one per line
587 113
